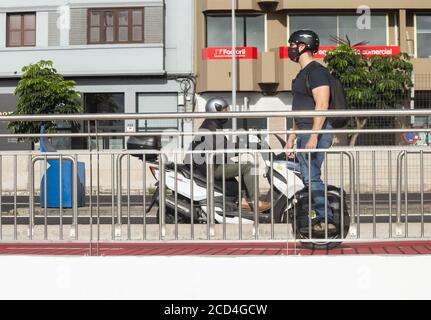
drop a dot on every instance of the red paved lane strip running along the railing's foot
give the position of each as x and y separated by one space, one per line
212 249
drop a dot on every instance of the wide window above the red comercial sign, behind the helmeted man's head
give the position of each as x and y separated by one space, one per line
342 25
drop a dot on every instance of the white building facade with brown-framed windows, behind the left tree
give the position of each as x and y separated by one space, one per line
133 56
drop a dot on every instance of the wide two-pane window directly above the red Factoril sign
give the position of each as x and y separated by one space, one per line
250 31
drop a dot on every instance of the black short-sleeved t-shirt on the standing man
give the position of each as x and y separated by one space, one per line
302 101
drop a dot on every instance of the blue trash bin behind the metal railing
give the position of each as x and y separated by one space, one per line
53 180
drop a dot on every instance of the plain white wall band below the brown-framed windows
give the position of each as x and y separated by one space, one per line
86 60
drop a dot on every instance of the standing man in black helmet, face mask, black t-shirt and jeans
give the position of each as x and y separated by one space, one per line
311 91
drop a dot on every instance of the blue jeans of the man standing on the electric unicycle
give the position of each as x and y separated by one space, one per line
317 185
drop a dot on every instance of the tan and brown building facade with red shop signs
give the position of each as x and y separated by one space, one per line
265 73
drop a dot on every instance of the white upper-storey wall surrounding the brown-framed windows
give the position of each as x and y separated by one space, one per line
179 24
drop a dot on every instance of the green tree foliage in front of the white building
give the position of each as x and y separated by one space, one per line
43 91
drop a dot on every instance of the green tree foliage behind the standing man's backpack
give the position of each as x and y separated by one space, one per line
379 82
